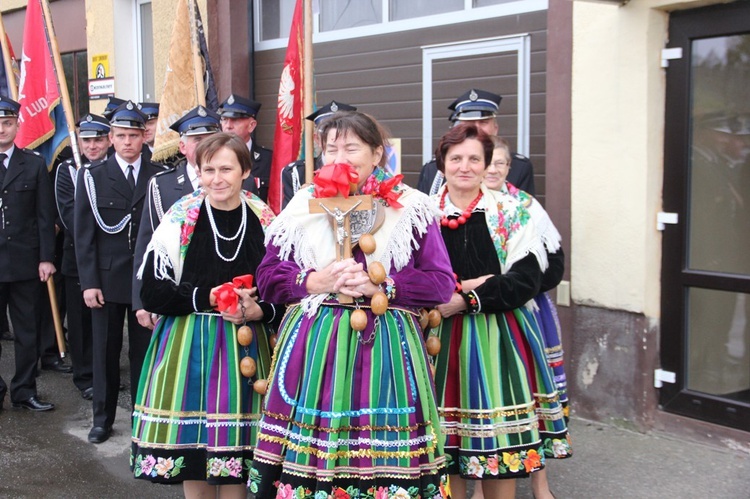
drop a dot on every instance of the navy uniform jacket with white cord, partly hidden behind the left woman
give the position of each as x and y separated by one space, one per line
164 189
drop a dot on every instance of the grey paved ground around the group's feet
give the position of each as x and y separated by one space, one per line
46 455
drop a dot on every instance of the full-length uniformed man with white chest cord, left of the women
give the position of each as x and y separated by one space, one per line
108 208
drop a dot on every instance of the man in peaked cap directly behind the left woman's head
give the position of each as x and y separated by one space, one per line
238 116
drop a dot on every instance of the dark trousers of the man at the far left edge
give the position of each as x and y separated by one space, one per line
23 299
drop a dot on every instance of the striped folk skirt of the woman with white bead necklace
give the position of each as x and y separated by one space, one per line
196 416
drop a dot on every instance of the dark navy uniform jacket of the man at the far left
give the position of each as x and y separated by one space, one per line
27 217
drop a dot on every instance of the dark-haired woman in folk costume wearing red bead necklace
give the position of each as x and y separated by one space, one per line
492 381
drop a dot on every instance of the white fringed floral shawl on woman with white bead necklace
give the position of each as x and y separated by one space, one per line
171 238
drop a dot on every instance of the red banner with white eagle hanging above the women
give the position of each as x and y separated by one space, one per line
290 122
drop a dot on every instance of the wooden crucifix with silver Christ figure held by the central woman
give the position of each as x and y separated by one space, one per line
340 210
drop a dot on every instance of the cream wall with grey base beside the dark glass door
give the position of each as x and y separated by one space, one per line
617 144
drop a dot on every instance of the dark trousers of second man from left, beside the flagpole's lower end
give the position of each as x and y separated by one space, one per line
80 337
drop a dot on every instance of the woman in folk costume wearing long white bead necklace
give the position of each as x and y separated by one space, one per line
196 415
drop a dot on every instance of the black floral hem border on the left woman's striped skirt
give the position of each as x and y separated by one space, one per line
178 465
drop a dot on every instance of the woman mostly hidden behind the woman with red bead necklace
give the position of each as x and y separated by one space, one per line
545 310
